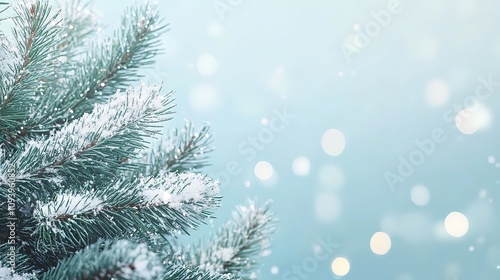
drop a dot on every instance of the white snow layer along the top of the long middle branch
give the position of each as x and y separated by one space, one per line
123 110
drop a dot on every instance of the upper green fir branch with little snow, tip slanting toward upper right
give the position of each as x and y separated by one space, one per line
109 66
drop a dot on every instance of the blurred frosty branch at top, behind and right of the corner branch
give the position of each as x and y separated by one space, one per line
77 24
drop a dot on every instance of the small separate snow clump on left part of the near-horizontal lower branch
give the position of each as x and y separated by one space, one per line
67 204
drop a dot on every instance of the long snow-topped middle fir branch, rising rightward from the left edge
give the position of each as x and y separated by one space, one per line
93 145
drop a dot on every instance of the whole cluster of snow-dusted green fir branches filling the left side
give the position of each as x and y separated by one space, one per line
70 172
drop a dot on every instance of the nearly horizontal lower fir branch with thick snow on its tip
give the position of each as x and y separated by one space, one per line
170 203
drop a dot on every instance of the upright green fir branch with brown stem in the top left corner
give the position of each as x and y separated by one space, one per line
35 39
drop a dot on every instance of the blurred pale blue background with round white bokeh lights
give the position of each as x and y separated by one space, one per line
372 125
